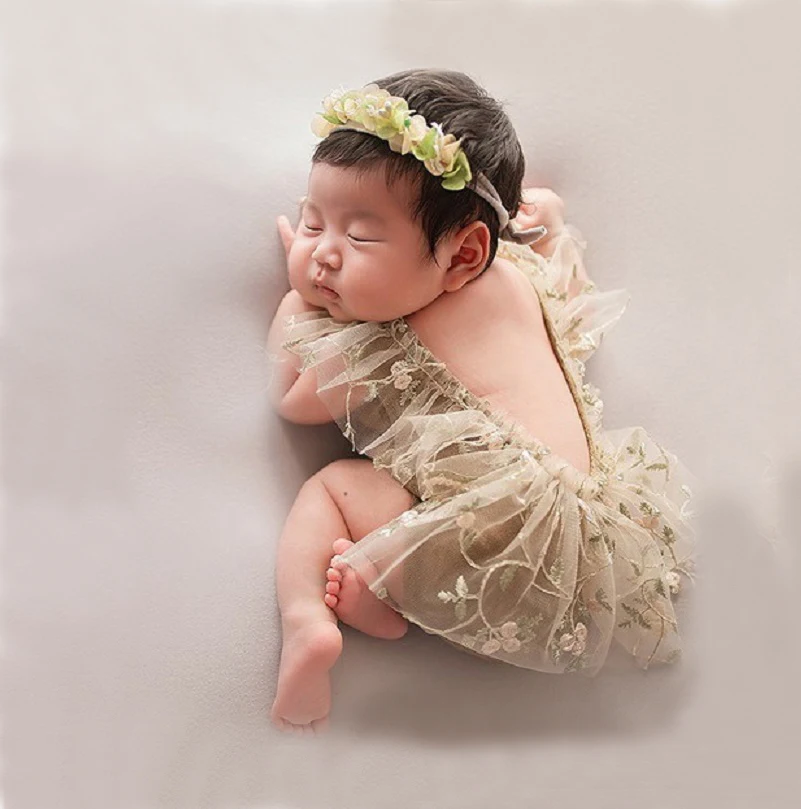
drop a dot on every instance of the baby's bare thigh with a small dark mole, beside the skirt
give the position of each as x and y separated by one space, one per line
366 497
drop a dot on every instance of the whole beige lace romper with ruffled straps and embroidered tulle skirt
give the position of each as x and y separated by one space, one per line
510 552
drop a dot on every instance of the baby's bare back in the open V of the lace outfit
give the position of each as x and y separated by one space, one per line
491 334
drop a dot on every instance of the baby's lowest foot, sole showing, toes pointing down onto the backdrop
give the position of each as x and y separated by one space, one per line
303 698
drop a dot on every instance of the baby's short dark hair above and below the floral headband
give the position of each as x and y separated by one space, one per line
463 108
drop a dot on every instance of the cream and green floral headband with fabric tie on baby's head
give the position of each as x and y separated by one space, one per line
388 117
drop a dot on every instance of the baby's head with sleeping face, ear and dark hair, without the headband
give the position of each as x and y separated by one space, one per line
380 230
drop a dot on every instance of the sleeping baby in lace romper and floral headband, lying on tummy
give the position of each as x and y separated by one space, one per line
440 314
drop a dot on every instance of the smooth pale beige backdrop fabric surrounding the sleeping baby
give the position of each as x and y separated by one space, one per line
149 148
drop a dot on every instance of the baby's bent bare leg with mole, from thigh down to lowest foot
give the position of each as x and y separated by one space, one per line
347 499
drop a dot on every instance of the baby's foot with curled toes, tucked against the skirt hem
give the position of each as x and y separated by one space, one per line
355 604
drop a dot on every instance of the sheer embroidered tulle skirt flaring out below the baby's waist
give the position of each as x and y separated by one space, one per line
518 567
